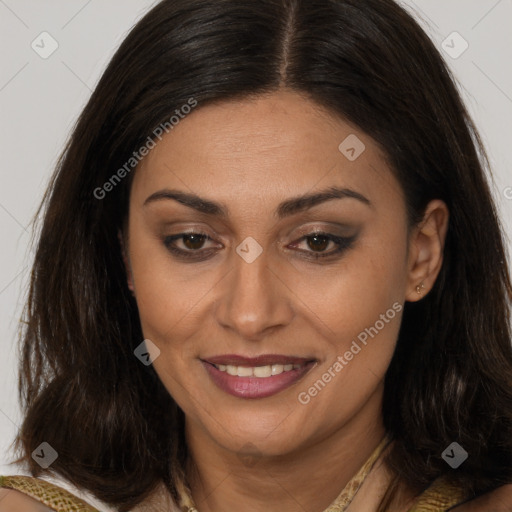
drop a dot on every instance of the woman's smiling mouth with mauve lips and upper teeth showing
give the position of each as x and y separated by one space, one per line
256 377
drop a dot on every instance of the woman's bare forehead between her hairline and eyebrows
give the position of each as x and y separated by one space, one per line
262 150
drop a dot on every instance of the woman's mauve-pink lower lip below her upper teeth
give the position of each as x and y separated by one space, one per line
255 387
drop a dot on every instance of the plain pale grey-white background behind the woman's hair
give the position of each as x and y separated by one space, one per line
41 98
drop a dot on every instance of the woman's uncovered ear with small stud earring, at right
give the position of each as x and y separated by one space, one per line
426 248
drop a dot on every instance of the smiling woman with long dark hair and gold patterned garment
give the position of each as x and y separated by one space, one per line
270 276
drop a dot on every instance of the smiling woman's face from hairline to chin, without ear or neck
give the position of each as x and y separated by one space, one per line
322 313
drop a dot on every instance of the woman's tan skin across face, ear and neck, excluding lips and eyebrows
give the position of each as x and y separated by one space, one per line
251 155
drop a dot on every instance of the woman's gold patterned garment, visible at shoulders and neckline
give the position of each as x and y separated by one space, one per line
439 497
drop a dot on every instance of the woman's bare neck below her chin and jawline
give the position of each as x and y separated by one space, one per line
309 478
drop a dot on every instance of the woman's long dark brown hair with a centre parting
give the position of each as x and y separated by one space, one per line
115 427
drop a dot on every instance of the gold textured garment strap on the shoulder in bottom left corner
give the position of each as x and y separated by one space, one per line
51 495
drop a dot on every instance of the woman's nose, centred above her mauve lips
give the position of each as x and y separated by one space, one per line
255 300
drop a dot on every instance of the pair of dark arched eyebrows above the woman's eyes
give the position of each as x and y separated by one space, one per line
285 209
